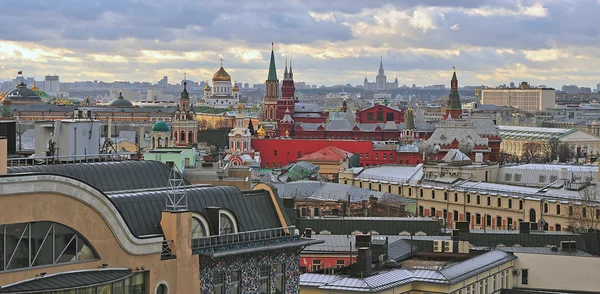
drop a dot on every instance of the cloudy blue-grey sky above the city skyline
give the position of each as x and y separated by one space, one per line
551 42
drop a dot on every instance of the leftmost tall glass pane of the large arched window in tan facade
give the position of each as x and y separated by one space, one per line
20 254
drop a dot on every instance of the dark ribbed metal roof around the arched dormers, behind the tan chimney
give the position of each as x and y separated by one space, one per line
253 210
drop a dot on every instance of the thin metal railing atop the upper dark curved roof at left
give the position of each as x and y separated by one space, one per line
46 160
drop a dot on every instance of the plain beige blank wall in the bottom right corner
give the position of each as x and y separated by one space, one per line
559 272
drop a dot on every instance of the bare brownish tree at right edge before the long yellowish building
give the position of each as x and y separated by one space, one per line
584 213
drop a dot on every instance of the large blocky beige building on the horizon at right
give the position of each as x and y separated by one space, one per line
523 98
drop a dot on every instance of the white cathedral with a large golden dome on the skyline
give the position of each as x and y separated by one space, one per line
222 94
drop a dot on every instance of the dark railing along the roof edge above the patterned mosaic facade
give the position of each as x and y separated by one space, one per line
243 237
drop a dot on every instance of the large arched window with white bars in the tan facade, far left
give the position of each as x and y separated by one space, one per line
41 243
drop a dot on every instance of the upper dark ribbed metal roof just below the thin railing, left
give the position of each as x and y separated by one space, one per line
109 176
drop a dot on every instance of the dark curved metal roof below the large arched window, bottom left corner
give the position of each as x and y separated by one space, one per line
67 280
